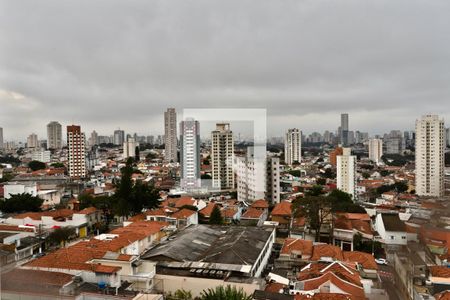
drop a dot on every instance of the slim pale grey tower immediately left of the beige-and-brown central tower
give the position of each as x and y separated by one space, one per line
190 154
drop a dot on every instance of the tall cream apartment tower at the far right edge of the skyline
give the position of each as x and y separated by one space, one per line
430 149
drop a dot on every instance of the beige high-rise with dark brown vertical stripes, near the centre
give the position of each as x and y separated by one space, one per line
222 153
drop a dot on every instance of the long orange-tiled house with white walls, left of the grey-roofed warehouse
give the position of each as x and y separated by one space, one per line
108 259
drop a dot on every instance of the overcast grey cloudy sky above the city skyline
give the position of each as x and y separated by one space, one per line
109 64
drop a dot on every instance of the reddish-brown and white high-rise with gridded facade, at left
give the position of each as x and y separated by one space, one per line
77 152
